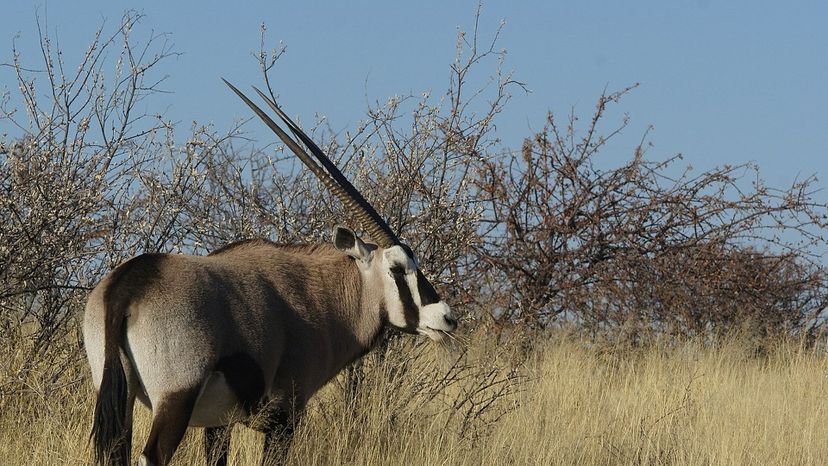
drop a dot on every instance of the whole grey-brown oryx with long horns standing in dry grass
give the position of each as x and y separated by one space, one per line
253 329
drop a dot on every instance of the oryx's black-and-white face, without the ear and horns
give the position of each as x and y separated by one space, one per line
414 306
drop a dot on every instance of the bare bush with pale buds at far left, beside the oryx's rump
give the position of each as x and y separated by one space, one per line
70 196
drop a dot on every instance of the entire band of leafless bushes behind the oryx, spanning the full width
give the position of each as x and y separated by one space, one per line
543 236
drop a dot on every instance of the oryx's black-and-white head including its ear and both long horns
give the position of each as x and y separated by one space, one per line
408 297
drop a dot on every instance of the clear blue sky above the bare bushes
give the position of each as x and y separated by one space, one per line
722 82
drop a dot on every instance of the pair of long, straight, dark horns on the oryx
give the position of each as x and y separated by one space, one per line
334 181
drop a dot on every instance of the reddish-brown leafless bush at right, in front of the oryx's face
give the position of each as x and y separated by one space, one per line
636 250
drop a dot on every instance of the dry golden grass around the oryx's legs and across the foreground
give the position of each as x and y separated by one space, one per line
564 403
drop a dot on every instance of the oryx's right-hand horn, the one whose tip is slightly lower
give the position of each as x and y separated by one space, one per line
376 226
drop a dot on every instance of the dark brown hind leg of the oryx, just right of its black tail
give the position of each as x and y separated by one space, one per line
170 417
